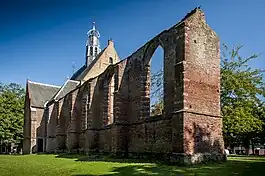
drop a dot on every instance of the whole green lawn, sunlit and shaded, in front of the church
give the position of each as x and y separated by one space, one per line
64 165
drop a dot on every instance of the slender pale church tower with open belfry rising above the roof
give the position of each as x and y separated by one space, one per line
92 45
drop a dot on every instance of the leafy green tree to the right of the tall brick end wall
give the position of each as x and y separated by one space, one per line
242 89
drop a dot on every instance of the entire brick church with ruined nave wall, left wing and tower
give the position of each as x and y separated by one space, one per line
105 106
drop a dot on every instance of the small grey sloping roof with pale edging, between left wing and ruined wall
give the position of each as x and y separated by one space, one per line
68 86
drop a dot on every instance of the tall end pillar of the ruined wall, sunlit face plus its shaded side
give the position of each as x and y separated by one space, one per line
196 121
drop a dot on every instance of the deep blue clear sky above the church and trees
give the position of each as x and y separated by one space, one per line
39 40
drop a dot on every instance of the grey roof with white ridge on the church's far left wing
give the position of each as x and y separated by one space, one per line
40 93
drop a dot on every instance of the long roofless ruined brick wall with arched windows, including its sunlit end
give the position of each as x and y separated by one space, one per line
111 112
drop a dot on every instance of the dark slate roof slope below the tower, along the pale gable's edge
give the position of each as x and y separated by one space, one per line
84 70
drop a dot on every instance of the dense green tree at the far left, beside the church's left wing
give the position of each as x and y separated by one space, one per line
11 113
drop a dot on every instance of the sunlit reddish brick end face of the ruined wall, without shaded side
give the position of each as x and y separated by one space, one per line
202 122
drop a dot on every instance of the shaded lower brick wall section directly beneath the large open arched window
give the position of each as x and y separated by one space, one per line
152 136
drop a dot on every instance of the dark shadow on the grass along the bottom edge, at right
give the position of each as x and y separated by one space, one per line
231 168
